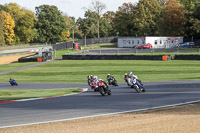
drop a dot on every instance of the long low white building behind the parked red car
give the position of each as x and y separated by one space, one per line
157 42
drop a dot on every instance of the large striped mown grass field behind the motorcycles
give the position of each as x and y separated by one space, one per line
76 71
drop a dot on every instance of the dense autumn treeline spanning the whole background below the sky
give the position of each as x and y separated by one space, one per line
147 17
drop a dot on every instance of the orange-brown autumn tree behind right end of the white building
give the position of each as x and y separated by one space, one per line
173 19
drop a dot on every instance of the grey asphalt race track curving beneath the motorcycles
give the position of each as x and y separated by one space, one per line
90 103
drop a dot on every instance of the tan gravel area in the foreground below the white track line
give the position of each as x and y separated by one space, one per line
179 119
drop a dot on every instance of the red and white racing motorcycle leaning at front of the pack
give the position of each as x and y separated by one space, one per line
101 87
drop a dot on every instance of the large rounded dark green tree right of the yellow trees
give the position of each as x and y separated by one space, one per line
50 24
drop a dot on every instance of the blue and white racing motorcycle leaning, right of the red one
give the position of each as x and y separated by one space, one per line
137 85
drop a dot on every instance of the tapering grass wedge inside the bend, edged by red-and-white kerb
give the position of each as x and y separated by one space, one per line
6 95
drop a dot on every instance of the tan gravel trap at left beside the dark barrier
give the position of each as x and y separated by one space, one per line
11 58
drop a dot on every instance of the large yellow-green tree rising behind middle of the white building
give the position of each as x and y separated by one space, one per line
147 16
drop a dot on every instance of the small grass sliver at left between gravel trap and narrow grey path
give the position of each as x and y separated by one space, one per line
6 67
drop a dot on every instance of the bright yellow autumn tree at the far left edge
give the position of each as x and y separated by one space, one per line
8 26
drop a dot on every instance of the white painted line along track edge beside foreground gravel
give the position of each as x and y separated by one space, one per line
106 114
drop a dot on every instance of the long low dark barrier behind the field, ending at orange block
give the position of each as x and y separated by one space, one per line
113 57
